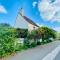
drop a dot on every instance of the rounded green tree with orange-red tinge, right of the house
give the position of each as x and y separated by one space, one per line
46 33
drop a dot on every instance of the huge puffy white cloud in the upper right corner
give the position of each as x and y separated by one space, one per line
49 11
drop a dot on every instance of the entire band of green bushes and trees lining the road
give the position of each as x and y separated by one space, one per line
9 35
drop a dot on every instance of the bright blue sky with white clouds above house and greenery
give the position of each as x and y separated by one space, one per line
42 12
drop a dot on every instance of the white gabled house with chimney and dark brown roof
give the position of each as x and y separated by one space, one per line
24 22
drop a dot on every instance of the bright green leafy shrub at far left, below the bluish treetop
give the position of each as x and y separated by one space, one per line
7 42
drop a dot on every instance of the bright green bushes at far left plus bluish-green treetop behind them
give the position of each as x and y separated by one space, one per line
7 40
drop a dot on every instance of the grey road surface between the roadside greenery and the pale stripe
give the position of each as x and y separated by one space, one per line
37 53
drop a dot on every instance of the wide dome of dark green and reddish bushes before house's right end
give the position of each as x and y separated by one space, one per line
43 33
